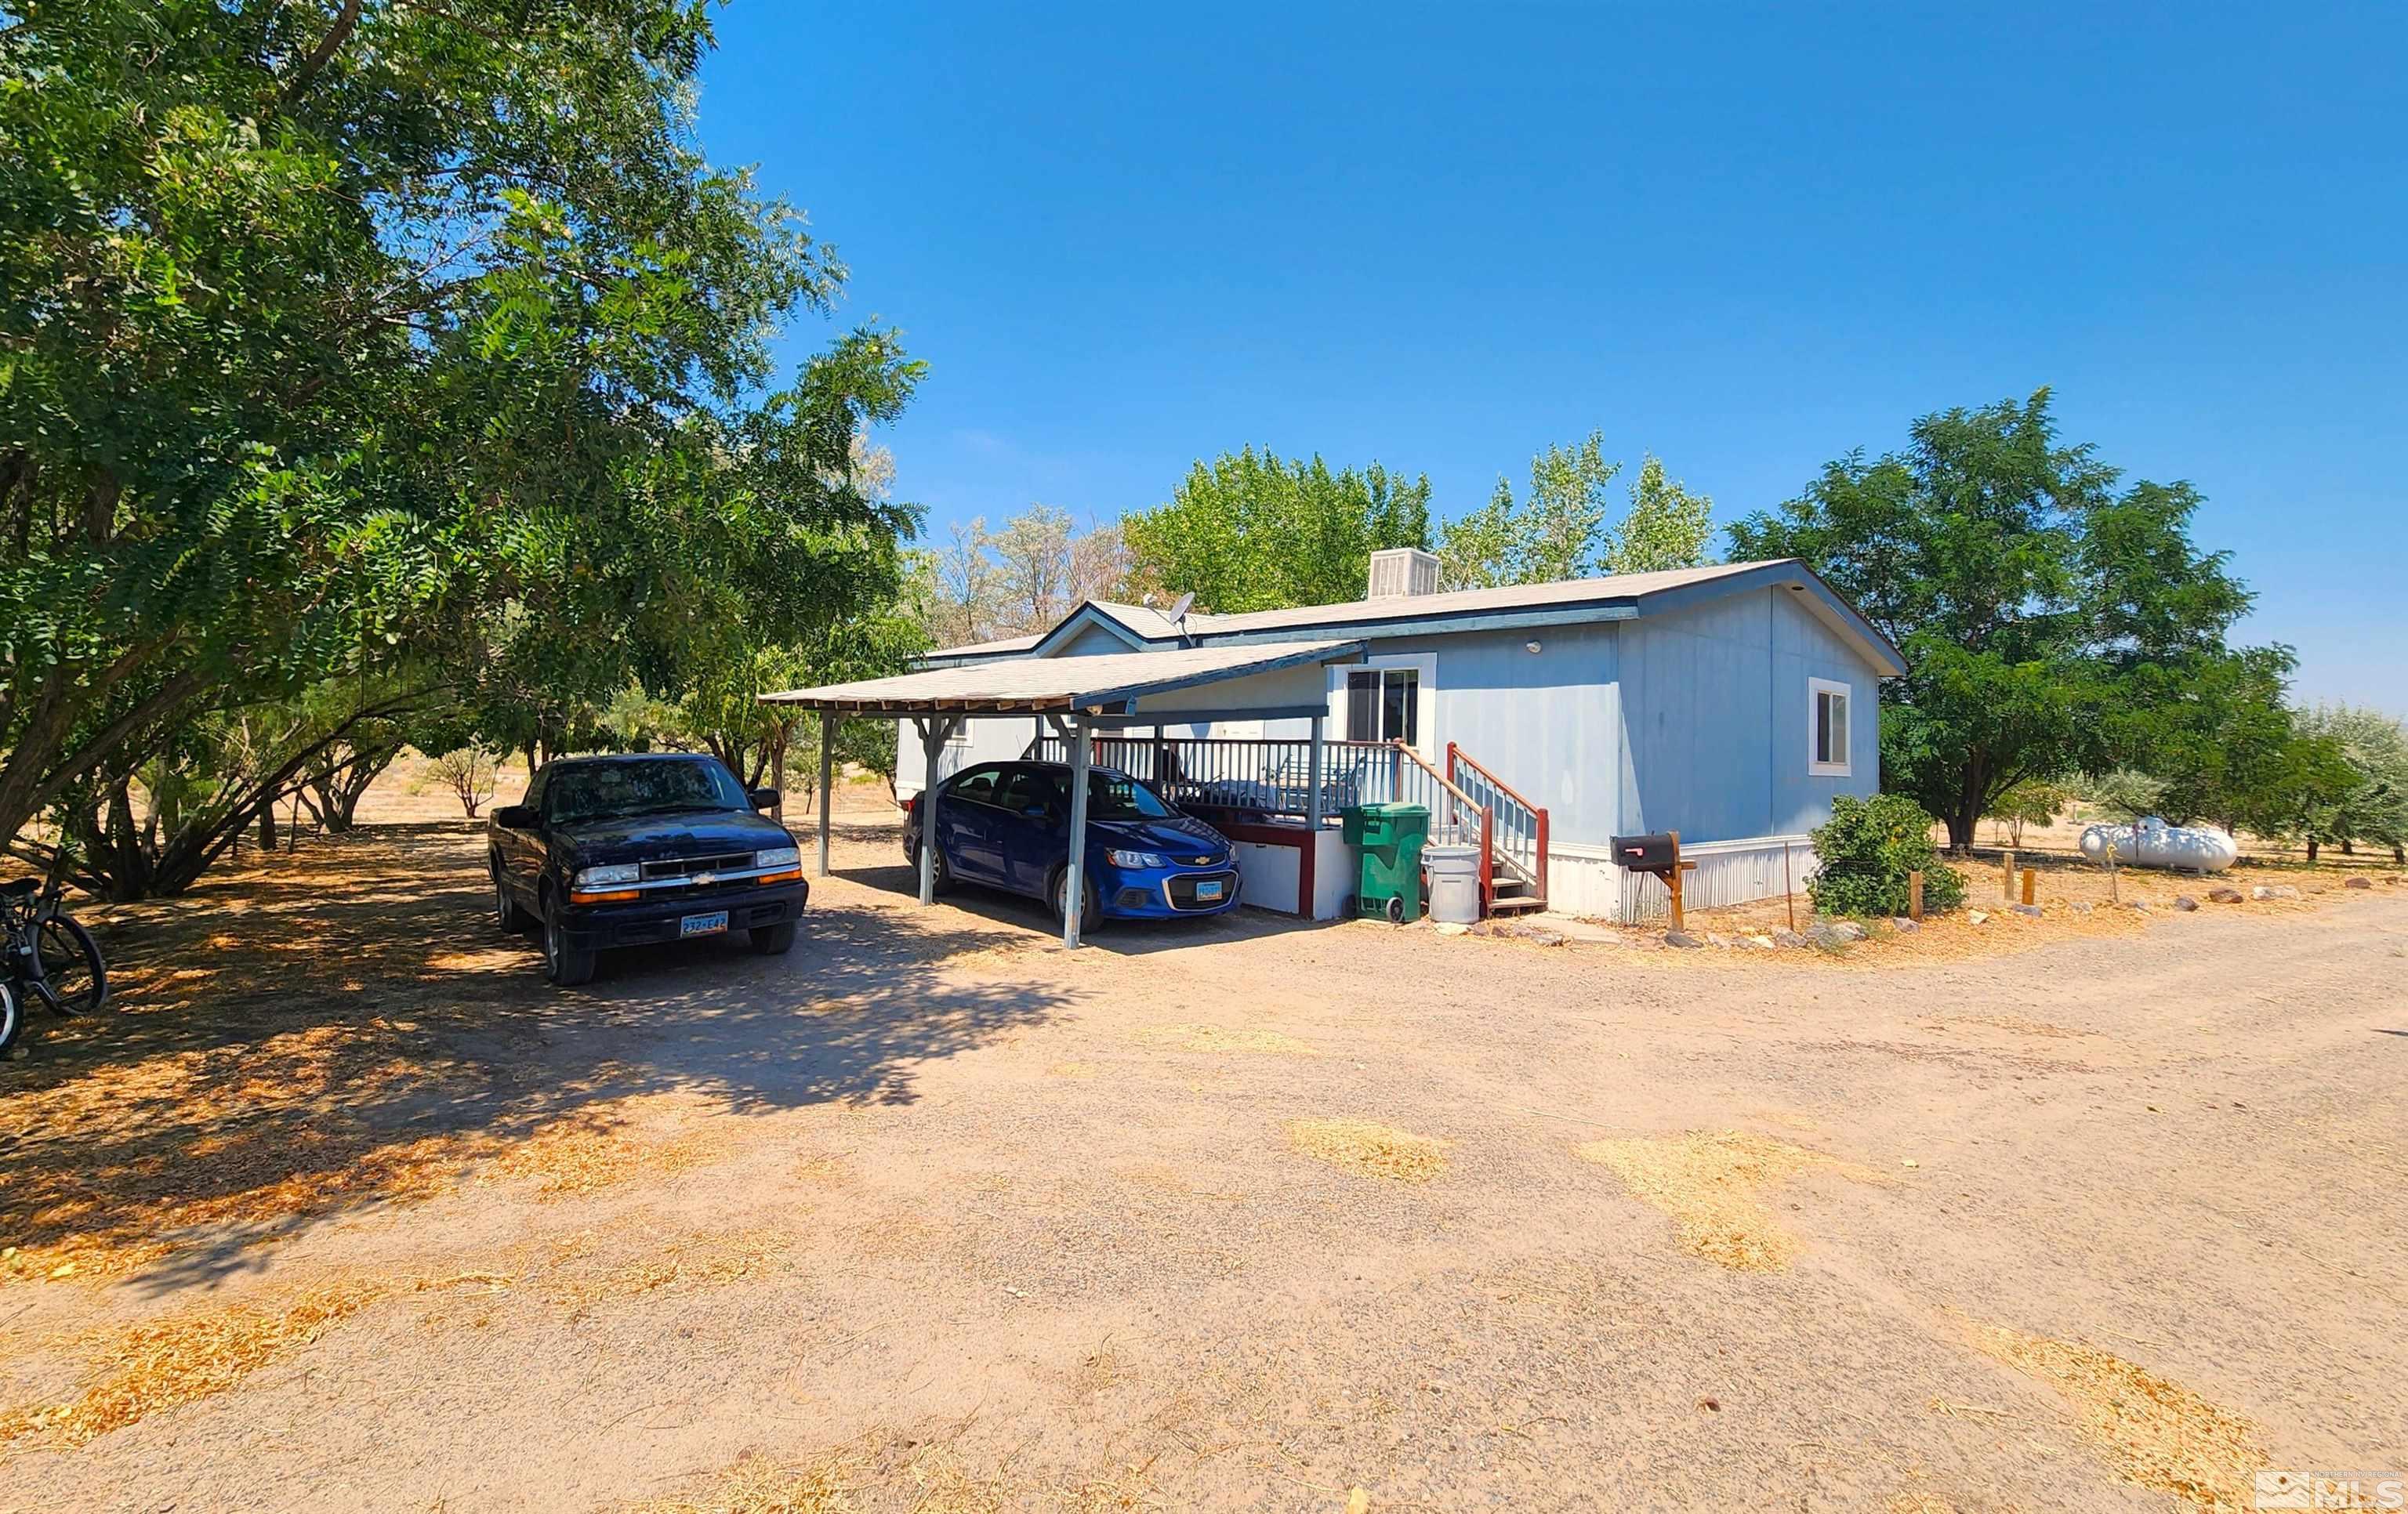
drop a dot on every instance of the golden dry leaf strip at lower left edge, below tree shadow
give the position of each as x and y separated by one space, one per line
184 1359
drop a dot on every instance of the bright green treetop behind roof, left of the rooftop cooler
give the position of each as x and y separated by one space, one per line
1253 531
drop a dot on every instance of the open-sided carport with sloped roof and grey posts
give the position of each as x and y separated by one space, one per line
1078 697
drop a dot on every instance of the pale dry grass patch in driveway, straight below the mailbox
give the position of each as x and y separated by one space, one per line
1713 1183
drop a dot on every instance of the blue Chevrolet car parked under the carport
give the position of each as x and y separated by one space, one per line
1008 827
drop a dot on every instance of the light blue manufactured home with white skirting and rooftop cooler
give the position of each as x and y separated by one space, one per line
1538 721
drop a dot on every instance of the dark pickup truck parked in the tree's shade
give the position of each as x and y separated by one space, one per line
627 851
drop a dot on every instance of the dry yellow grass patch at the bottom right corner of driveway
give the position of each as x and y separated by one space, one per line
2154 1433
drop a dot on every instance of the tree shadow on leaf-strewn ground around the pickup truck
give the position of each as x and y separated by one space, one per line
348 1029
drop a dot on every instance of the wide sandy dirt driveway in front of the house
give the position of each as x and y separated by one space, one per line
348 1212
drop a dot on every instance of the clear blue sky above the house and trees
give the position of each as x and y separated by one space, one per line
1745 239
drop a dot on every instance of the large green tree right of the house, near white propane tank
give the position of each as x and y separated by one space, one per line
2041 605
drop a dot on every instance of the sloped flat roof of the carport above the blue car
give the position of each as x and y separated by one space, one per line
1058 685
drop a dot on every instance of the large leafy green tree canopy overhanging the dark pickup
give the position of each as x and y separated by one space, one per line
353 336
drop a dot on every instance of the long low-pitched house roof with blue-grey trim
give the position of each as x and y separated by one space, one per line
1460 610
